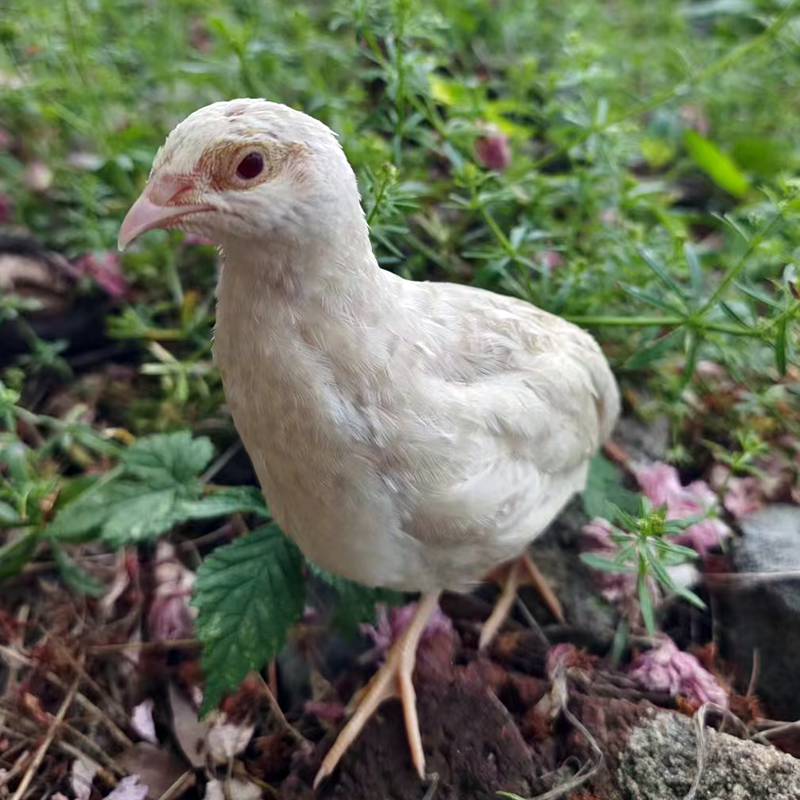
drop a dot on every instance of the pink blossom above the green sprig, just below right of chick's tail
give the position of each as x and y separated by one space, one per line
661 484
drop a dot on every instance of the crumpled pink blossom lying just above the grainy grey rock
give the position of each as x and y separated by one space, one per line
667 669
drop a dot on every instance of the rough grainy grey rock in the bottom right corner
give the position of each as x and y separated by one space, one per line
660 763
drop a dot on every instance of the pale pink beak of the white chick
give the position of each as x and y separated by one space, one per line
159 206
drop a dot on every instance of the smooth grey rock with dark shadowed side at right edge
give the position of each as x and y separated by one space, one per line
764 615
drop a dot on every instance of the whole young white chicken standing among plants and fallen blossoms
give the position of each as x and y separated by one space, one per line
409 435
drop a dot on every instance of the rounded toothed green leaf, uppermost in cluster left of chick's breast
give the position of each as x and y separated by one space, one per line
168 459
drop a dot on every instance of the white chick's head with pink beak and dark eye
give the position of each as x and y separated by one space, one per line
248 170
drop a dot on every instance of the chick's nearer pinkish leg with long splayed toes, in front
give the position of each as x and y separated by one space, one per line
393 679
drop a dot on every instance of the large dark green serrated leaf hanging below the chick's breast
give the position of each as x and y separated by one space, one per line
249 593
